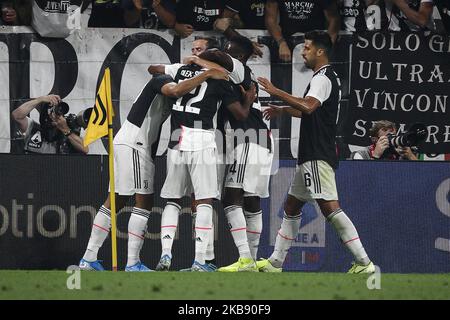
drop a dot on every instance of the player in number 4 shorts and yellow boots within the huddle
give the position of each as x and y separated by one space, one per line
247 178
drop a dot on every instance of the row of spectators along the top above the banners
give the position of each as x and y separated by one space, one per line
280 17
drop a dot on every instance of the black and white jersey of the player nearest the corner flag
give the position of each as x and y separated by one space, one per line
142 128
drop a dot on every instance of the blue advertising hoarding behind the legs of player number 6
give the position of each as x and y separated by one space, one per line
400 209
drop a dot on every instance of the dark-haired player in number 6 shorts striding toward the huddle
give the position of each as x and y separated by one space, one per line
317 161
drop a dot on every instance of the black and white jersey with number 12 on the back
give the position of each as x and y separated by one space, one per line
193 116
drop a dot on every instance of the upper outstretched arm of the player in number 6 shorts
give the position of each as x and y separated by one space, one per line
306 105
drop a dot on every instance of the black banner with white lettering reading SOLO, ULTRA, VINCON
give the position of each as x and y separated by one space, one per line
403 78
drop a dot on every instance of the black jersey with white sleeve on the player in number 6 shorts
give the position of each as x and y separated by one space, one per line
318 129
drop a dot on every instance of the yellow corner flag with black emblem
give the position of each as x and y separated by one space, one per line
98 121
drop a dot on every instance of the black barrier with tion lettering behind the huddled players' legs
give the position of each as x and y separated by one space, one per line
47 205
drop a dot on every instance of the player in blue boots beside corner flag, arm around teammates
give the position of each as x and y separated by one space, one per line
135 148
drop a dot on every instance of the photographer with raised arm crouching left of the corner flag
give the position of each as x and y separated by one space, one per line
52 135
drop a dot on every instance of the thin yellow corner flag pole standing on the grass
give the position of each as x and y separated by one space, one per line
112 195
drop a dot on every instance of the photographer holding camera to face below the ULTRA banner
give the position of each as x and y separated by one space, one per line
380 147
